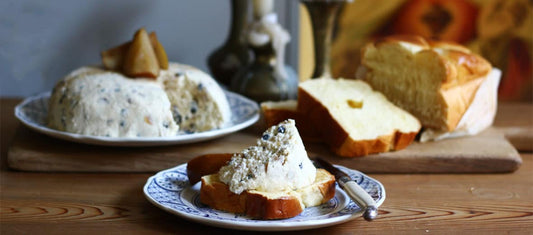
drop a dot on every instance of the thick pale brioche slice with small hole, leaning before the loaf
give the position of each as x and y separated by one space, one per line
353 119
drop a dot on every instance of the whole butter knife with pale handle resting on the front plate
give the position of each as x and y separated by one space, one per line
354 191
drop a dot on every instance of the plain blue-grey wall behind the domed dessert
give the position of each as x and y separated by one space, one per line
41 41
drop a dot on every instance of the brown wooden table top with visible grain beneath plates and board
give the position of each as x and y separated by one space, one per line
90 203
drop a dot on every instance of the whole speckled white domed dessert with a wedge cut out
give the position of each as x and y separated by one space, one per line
94 101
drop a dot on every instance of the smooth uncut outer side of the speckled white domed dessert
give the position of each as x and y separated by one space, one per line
92 101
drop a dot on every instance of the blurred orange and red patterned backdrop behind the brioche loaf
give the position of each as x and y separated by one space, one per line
499 30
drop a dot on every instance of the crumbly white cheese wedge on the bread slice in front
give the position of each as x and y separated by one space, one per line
277 162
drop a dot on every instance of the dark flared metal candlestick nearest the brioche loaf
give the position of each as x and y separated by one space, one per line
323 14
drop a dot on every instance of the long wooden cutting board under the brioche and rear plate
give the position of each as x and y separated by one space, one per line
484 153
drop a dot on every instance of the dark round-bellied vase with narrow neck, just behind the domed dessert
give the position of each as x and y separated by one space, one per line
226 61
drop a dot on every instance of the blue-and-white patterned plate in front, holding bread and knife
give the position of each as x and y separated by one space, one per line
170 190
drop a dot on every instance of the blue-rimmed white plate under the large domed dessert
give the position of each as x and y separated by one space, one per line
33 111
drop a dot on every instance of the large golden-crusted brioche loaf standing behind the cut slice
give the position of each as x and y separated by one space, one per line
434 81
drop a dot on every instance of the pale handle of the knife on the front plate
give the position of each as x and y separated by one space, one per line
361 198
